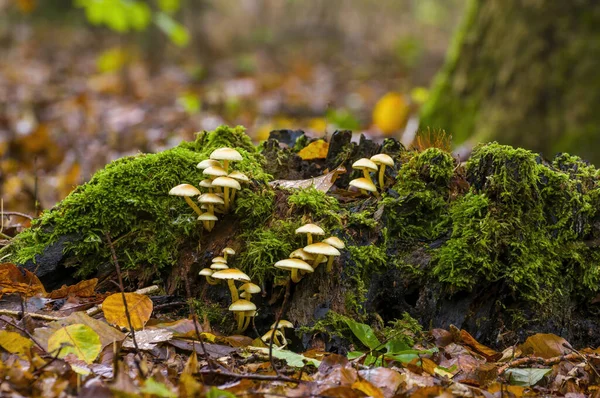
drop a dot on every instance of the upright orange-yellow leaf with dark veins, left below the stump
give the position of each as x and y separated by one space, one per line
139 306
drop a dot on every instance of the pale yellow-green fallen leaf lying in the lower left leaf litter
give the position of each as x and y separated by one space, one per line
77 339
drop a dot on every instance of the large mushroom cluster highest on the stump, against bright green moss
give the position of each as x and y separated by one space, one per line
220 184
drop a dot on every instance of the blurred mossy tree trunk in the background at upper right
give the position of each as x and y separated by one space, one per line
523 72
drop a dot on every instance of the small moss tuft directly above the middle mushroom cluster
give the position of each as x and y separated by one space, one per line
317 204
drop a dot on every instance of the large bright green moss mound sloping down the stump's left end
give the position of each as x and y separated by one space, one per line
129 199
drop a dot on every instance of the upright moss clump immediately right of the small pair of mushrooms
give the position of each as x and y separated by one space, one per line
420 210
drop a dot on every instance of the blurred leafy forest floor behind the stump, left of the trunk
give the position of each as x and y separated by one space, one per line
83 82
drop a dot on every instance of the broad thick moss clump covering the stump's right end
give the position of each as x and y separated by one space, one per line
523 223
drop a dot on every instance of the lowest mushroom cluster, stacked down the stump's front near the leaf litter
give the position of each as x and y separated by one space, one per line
241 306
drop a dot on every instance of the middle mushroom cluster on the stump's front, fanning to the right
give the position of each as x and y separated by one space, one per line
307 259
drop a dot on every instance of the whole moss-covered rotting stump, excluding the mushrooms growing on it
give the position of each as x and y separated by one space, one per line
503 246
